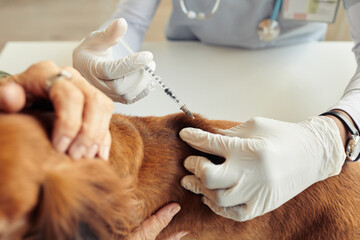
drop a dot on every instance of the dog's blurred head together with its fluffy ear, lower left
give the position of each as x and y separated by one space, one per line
44 193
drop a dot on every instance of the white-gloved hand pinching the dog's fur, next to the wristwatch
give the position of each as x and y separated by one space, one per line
268 162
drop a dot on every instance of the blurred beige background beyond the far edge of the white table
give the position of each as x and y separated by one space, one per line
58 20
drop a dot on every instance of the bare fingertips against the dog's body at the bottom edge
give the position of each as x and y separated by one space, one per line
152 226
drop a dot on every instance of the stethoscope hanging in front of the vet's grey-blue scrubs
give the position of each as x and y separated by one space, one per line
267 30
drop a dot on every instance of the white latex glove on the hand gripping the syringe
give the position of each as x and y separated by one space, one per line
123 80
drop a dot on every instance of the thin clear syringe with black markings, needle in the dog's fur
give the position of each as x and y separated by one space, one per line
157 79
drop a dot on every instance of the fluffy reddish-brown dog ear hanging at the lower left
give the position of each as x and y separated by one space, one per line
87 193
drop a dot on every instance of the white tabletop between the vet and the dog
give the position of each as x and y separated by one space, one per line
289 83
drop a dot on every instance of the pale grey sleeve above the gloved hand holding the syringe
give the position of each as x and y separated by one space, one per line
138 14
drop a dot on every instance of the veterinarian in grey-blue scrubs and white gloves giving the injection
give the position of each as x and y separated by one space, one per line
268 162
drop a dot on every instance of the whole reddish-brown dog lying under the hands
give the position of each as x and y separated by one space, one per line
46 195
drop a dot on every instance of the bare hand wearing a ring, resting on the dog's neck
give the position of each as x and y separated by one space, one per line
82 112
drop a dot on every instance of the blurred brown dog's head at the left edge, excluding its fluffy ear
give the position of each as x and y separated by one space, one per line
19 174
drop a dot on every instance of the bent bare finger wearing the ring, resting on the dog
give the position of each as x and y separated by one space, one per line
67 99
